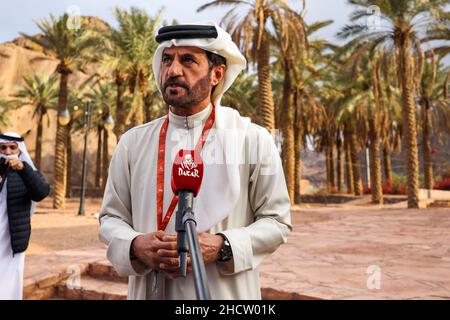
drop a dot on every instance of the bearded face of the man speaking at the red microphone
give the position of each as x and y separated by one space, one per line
186 79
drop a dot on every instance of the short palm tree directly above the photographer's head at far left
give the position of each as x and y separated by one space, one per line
41 93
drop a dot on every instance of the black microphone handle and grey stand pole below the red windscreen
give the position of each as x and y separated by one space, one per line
185 225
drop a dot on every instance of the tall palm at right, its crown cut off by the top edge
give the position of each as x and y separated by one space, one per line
401 24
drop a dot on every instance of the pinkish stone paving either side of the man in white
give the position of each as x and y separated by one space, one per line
333 252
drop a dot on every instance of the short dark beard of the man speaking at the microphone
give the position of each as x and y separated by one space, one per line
199 92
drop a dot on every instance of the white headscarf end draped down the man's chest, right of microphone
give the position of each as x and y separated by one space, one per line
221 153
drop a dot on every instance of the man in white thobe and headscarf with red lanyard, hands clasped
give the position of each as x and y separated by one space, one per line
242 209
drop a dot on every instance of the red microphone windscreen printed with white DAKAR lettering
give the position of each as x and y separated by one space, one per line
187 171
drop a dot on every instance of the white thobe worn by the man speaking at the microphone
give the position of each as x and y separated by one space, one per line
257 225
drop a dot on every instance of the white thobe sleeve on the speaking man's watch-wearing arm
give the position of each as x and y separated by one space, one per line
270 203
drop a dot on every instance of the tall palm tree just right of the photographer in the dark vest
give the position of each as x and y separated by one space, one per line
72 48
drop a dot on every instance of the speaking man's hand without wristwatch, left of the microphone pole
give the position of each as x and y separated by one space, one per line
158 250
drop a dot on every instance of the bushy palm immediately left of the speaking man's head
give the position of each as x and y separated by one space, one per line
129 52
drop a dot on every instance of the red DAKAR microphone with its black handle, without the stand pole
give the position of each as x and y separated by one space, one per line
187 175
